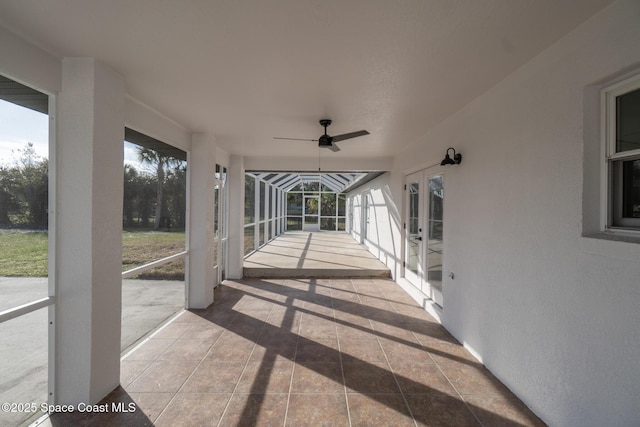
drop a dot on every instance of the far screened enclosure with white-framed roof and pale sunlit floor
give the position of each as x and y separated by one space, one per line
297 223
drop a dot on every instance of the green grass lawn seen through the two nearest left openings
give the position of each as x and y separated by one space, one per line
23 253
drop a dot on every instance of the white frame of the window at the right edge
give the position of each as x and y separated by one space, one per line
609 155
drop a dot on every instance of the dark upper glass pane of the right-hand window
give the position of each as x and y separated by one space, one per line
628 121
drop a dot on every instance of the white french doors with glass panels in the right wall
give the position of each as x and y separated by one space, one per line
424 226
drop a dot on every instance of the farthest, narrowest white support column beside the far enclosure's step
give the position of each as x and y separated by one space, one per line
236 217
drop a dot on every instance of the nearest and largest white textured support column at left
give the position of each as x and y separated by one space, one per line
88 252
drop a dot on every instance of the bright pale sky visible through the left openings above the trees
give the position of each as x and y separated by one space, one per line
19 126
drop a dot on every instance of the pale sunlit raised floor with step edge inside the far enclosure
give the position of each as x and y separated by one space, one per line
323 254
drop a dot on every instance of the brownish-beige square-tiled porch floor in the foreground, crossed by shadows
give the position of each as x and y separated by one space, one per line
307 352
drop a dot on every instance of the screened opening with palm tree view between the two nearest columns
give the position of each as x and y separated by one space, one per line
155 218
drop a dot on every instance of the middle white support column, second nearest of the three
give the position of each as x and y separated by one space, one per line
201 277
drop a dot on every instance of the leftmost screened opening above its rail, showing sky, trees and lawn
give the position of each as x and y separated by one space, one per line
24 178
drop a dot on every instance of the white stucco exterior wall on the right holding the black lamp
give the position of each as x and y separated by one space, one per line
552 314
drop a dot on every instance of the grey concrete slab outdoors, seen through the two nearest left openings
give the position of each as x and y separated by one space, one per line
24 340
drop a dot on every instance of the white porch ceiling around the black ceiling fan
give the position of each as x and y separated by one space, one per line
247 71
